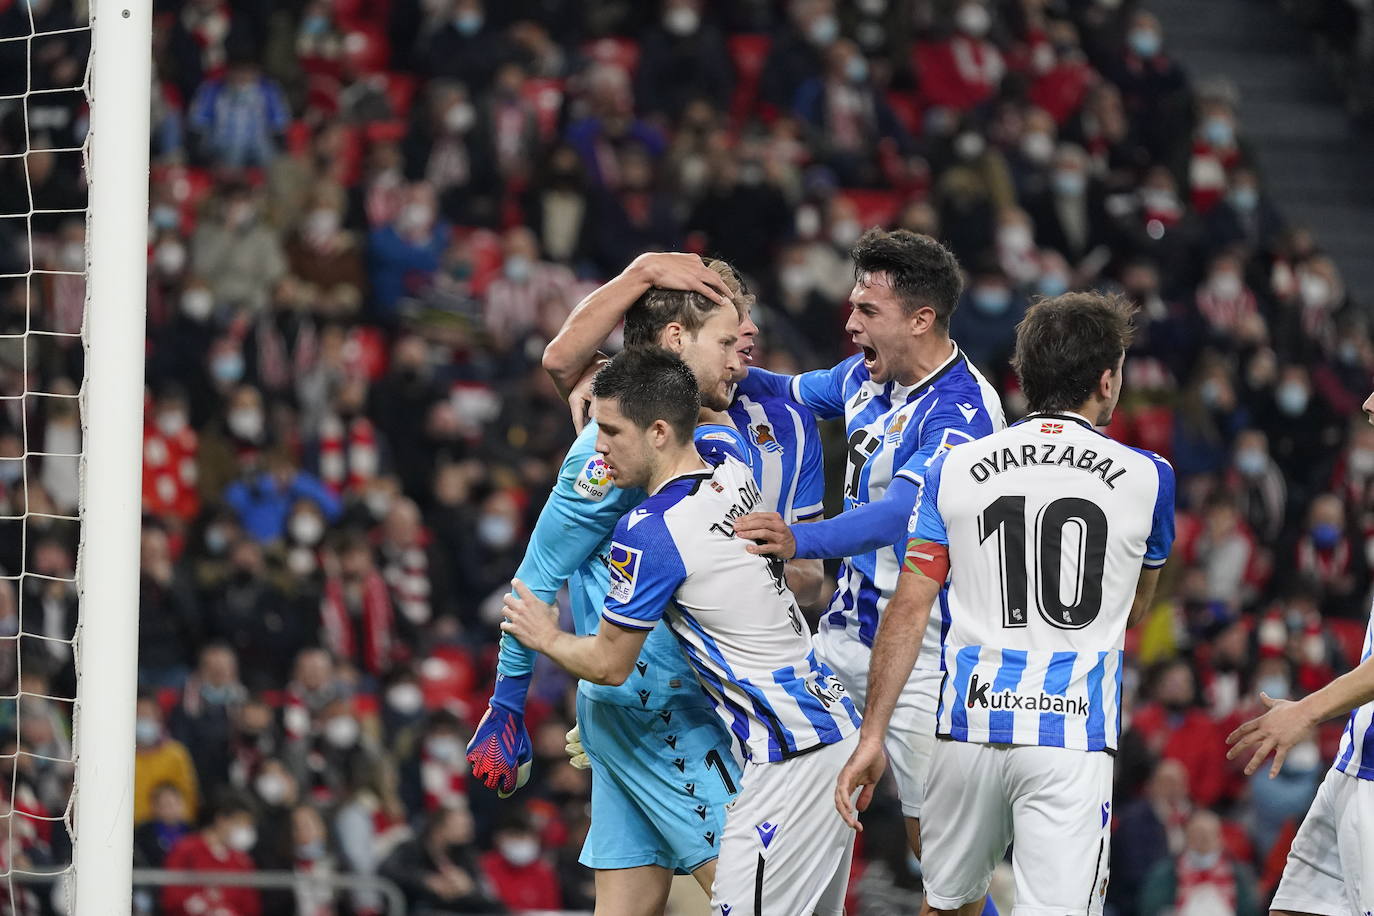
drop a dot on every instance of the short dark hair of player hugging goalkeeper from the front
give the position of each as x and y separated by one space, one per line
651 384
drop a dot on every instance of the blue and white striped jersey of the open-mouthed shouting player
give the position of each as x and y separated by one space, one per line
894 431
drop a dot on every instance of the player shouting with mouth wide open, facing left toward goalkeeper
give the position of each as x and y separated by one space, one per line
909 396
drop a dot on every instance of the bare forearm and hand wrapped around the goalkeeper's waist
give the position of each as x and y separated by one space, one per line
605 659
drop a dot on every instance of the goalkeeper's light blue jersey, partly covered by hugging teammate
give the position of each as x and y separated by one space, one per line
571 543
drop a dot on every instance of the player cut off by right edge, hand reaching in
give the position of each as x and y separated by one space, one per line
1332 859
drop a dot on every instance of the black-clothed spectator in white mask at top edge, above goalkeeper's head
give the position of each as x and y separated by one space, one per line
682 57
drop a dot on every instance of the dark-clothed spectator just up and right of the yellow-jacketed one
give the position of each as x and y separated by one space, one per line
203 720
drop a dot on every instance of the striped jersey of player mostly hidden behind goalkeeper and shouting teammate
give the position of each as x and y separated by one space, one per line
787 455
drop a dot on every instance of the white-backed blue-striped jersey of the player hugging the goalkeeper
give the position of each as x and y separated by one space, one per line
677 558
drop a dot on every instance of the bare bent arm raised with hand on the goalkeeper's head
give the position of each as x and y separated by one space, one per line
572 352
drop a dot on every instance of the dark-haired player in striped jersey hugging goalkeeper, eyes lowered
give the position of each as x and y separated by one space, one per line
785 848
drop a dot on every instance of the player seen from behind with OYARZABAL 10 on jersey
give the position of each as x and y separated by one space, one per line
1052 536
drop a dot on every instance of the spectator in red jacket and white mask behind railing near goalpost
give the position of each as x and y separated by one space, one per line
223 847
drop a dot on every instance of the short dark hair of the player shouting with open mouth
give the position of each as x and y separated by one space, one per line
923 273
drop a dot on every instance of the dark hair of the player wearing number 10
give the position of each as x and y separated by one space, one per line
1064 345
